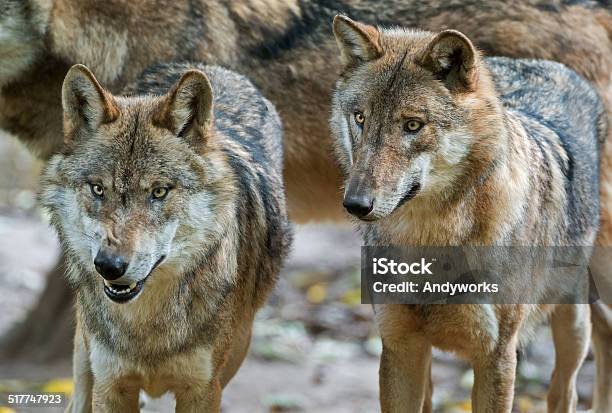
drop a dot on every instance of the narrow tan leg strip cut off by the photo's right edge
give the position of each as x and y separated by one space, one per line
601 315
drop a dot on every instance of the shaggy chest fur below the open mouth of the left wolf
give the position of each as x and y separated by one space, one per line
169 317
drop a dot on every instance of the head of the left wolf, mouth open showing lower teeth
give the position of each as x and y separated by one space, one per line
138 183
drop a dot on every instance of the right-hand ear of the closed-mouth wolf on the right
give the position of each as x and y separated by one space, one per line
451 56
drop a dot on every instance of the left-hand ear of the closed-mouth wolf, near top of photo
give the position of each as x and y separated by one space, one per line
357 42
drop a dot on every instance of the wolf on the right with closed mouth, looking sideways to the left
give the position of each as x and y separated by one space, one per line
441 147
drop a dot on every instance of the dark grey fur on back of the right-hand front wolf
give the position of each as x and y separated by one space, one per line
554 103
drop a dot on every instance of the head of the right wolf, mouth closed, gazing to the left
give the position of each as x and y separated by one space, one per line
407 112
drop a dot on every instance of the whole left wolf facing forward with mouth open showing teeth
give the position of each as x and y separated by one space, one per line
169 205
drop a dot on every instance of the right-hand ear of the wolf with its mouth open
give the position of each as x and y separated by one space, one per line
188 108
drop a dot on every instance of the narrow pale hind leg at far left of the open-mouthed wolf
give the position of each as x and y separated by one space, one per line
83 378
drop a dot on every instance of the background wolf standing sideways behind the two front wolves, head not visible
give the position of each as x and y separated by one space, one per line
284 47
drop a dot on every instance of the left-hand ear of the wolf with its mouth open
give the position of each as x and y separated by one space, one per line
84 101
